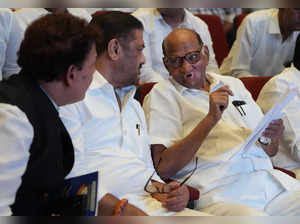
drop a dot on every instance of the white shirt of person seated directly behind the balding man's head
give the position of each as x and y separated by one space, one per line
155 30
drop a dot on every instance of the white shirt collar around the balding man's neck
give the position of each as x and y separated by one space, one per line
213 79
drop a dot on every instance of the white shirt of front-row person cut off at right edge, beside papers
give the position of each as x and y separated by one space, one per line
289 151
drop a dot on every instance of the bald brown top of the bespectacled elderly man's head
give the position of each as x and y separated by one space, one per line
179 38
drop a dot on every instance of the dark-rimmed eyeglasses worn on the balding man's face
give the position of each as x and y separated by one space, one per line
192 58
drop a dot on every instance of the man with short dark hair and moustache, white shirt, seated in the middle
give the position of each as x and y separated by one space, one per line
108 128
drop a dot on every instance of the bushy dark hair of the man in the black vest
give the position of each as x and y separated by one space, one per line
52 44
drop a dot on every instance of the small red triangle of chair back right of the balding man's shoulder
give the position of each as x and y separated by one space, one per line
255 84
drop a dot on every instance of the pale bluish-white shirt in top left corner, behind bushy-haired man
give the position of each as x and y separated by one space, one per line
10 39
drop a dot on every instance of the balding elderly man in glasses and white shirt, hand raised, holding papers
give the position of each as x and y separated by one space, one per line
191 116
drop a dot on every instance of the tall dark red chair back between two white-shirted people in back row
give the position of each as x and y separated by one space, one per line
218 36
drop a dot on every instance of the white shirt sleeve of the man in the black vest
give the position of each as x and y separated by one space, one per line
16 137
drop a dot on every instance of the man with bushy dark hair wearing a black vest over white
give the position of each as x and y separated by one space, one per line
17 135
